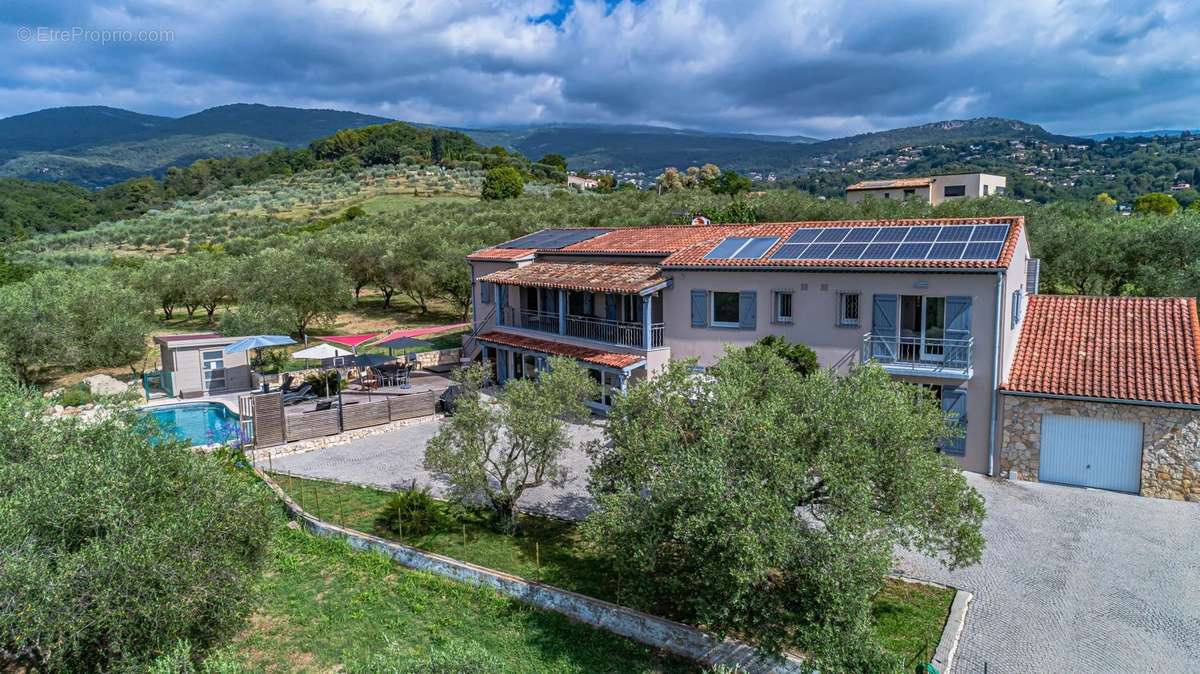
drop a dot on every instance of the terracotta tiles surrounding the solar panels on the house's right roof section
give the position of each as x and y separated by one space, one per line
694 256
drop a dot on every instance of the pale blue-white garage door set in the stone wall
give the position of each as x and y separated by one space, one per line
1105 454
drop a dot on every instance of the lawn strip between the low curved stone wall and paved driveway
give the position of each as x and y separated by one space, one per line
909 617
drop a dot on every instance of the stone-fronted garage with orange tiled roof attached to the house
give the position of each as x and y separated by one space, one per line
1105 393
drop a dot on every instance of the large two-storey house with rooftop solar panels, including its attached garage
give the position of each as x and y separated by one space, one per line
939 303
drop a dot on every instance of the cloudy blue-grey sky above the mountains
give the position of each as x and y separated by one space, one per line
819 68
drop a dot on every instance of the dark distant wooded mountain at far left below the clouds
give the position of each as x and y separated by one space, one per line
97 147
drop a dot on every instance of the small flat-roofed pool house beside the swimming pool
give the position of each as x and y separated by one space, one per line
196 365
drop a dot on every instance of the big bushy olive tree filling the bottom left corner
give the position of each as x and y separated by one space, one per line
113 549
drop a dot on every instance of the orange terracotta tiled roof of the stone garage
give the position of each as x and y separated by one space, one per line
1121 348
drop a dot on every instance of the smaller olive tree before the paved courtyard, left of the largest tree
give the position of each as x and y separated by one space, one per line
499 453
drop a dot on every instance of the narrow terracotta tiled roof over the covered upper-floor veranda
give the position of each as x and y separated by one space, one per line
596 278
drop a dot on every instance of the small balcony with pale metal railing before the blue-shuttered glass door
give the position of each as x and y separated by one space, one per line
921 357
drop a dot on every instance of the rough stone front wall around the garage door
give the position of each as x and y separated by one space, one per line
1171 449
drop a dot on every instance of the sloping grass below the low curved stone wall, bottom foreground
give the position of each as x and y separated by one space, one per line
323 607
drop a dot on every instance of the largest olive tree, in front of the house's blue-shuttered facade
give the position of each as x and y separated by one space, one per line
767 504
